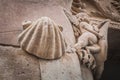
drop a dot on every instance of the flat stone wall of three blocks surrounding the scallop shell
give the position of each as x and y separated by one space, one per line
16 64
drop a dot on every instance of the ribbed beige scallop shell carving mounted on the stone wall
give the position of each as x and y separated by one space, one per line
43 39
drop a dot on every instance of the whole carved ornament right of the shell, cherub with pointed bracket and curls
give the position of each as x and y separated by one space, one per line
90 39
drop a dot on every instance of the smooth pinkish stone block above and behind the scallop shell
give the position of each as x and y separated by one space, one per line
14 12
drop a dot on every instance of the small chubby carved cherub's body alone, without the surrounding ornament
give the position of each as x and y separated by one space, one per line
86 37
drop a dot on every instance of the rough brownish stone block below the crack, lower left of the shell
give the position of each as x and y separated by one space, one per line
15 64
